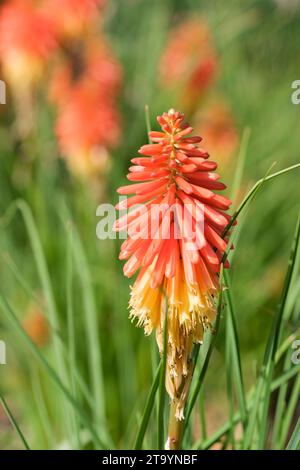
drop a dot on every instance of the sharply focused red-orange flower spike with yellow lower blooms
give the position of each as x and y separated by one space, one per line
179 247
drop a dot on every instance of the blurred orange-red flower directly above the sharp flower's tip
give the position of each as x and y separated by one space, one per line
189 63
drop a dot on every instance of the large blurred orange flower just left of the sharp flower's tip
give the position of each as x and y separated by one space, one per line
84 87
